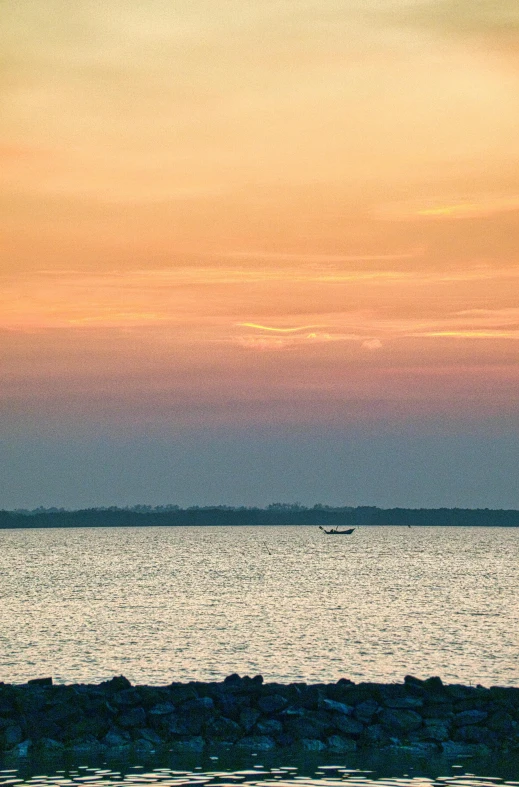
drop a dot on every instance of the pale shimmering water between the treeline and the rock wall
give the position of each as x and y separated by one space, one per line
163 604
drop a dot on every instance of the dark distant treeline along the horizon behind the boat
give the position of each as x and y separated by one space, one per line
275 514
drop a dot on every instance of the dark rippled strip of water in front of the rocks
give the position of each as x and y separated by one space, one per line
308 772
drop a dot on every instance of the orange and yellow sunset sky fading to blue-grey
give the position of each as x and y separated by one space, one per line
259 252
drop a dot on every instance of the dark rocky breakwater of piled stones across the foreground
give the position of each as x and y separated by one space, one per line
424 715
